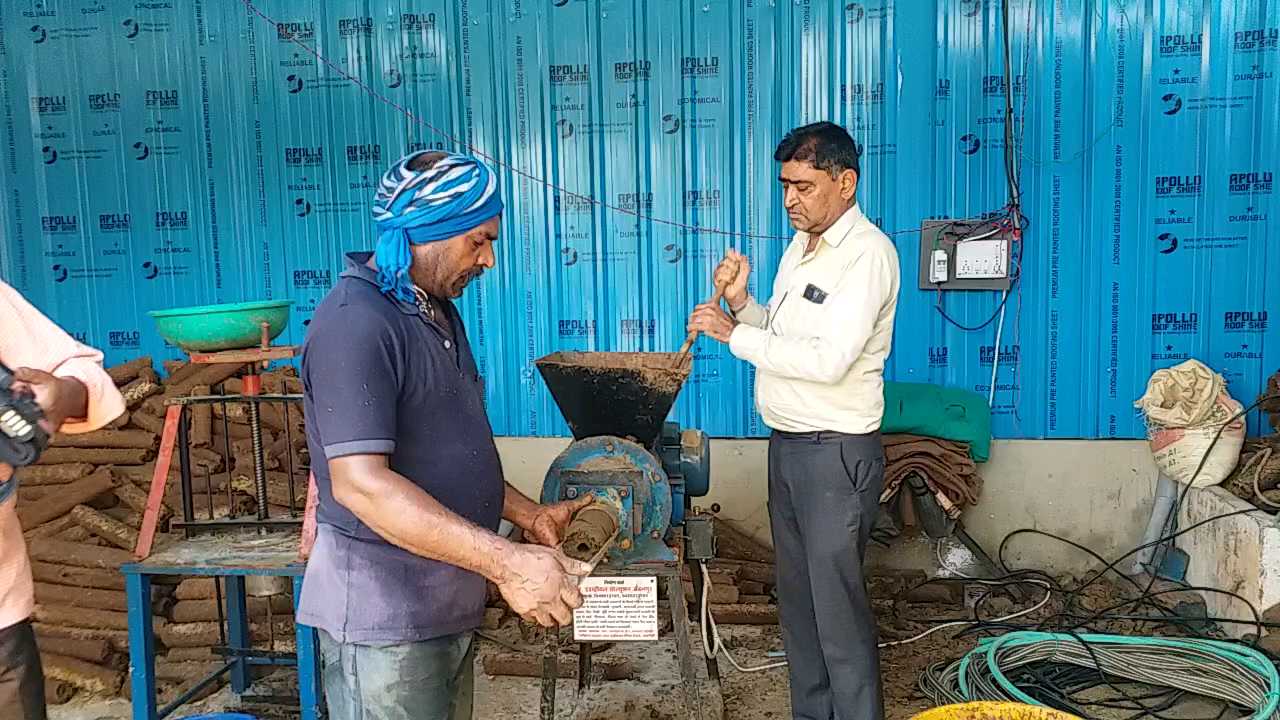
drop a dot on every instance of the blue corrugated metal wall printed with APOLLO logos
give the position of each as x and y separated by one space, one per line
186 152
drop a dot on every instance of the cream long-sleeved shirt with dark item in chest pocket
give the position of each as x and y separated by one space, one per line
821 344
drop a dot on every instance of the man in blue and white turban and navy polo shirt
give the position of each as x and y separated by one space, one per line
410 484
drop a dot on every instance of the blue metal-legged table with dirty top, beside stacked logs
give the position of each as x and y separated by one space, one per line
234 558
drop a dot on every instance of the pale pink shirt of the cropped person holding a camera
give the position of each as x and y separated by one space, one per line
31 340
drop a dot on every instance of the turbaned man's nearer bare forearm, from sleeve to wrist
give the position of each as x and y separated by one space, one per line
408 517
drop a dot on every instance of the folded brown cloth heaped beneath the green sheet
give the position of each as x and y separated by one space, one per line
947 467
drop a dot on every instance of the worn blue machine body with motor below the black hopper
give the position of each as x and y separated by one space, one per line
647 487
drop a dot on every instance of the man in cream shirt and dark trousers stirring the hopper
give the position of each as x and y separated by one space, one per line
820 349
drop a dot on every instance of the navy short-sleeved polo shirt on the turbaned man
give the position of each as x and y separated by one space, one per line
382 380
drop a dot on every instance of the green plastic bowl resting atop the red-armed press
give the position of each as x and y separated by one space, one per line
234 326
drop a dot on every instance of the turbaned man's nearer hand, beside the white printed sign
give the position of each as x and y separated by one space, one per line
541 585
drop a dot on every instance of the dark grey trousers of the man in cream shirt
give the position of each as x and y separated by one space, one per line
824 500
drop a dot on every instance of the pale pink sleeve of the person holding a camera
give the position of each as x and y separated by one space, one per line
31 340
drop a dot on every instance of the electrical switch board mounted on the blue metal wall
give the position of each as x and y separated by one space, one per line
966 256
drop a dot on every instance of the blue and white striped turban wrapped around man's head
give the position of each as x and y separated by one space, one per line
451 198
